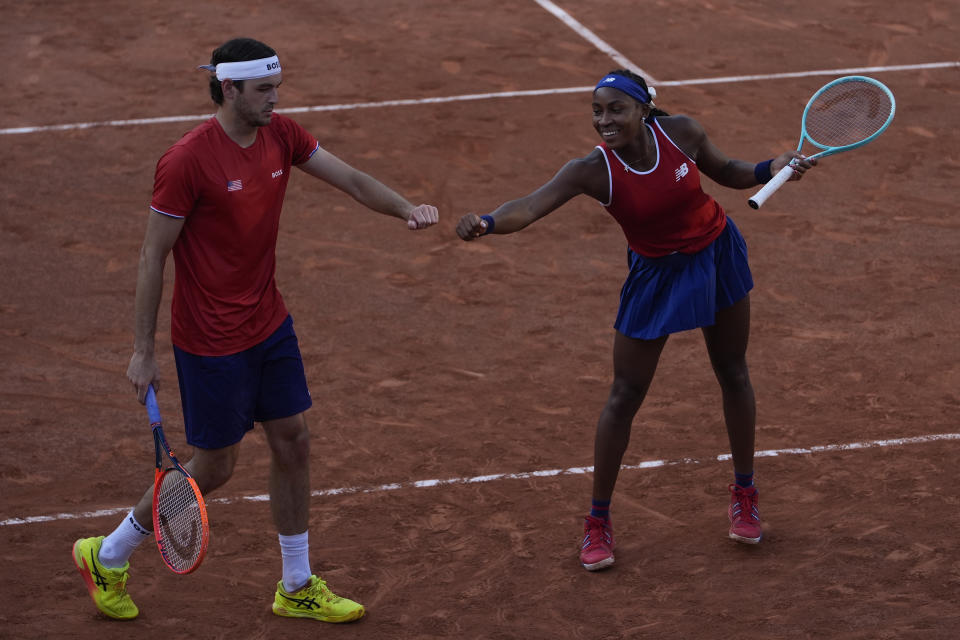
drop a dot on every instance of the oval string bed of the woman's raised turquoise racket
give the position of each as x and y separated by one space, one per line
847 113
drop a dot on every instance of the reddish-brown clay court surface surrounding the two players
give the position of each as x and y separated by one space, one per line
456 386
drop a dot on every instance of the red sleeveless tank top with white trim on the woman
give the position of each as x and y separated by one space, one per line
663 210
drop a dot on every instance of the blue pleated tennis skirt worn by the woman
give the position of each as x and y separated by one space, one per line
683 291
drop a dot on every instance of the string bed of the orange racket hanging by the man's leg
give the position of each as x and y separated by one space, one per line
179 521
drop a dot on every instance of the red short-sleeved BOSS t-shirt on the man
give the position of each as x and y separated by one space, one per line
225 296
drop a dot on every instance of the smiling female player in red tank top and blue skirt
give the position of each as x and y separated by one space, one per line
688 269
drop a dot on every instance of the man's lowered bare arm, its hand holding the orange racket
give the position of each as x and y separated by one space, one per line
162 232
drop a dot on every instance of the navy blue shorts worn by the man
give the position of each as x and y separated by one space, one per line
222 396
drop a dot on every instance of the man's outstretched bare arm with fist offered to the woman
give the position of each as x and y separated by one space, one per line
367 190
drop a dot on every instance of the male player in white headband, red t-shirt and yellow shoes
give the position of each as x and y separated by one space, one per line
216 205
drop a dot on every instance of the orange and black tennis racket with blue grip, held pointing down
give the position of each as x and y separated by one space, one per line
179 512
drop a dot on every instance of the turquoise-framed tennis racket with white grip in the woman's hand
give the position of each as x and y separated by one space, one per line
844 114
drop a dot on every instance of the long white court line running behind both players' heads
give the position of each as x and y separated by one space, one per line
483 96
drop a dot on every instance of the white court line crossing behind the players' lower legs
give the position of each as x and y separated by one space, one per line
526 475
